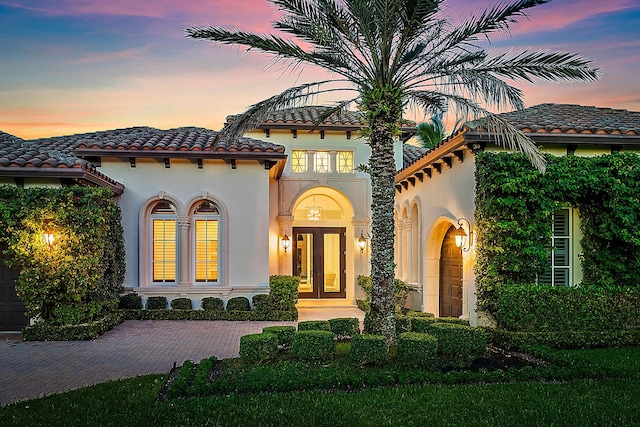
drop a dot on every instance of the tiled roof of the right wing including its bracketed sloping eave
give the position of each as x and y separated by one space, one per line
548 124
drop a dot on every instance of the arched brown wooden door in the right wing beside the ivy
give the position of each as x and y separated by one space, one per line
450 277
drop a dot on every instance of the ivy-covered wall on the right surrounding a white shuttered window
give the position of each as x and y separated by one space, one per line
514 204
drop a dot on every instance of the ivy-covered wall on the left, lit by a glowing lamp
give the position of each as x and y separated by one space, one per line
80 275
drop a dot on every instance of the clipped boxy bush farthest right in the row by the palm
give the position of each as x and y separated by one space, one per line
458 345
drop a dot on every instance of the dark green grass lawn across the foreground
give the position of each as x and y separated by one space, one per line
132 402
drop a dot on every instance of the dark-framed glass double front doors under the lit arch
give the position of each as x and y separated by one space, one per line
319 261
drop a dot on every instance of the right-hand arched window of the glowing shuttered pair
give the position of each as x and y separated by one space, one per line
206 217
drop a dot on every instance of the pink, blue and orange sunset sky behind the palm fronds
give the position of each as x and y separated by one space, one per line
72 66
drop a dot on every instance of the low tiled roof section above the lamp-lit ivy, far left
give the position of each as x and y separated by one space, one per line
21 159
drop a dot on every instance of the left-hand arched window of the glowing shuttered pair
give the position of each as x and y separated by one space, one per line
164 243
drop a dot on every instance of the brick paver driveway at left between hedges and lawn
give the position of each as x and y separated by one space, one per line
33 369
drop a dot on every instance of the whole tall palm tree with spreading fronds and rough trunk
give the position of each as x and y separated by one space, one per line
392 54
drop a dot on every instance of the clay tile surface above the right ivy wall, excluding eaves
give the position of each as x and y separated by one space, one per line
570 118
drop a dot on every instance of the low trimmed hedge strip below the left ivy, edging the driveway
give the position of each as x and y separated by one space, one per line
87 331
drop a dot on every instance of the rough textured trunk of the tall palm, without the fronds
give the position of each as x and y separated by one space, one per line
383 111
